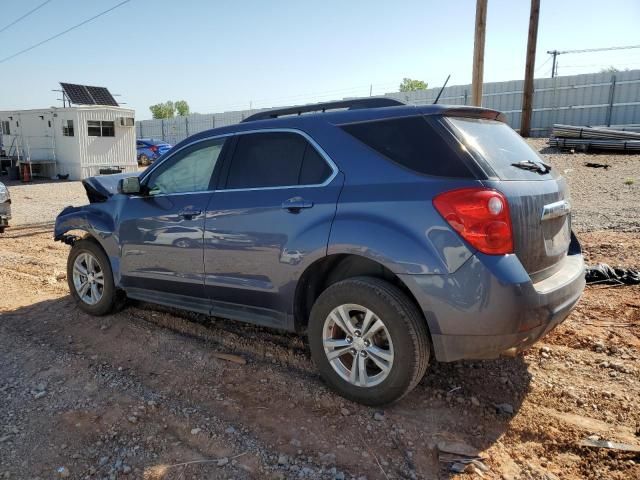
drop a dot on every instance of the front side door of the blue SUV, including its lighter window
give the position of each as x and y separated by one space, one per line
161 232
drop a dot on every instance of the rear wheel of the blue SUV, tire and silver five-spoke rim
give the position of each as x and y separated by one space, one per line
403 340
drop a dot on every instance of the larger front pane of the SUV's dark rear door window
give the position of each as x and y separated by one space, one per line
266 160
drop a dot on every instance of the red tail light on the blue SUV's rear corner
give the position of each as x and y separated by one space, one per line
480 216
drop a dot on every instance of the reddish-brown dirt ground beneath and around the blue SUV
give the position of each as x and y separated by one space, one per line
144 394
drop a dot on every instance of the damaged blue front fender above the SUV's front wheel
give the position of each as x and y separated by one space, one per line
97 223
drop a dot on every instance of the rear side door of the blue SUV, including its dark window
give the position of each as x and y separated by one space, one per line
269 219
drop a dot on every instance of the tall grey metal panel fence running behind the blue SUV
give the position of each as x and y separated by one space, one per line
597 99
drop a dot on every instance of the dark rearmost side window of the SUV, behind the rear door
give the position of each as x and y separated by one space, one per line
413 143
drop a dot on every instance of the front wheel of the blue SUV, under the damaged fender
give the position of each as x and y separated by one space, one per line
108 299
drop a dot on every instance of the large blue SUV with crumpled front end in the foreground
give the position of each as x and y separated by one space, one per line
391 235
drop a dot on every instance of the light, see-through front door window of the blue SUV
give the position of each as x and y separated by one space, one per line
189 170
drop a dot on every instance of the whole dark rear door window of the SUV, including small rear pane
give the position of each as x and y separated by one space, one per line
275 159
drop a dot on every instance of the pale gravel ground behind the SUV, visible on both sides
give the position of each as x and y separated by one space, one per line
601 199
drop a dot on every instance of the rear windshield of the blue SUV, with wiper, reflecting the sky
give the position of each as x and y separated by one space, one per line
498 145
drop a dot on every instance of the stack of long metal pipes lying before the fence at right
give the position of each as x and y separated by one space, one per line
586 138
